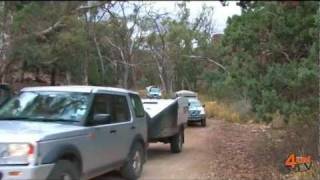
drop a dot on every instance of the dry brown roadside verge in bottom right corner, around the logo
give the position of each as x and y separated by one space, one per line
300 139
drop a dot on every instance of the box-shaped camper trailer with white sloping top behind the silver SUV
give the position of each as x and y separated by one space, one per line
167 119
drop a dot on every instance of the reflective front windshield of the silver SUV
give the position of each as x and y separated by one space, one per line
46 106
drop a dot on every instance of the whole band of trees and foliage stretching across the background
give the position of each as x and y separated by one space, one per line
270 51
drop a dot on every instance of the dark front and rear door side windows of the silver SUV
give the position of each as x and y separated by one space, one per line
115 105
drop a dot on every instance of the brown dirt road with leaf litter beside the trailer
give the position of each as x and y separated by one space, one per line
219 151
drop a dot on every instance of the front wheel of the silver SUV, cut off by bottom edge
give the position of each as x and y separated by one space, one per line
64 169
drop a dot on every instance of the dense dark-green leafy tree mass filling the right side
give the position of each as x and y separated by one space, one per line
272 51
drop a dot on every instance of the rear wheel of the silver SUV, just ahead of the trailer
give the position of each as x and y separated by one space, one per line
133 167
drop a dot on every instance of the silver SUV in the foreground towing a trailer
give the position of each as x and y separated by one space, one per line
72 132
